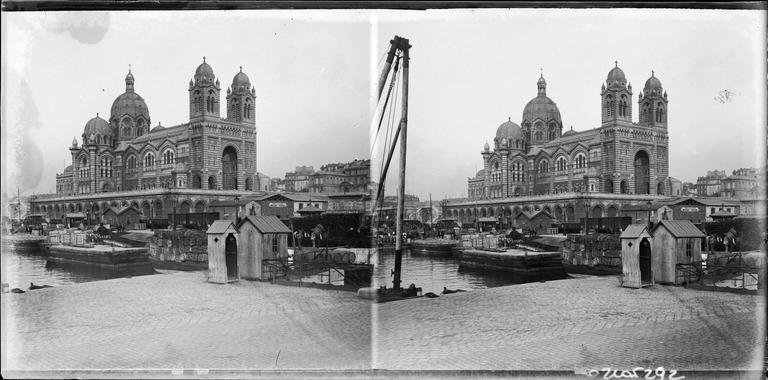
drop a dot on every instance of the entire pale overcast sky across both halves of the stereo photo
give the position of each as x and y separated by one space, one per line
470 71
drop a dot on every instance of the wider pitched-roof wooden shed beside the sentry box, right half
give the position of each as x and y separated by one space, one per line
674 242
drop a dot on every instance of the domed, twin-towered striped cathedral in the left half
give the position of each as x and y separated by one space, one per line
209 152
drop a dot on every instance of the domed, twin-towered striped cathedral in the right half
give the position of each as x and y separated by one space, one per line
620 156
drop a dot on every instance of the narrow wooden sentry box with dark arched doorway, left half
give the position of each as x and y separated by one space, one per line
222 252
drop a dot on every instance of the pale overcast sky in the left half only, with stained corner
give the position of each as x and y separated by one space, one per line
310 71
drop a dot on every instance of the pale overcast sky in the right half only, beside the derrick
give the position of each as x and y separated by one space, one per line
472 70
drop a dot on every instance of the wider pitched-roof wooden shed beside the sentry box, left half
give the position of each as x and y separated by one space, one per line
262 238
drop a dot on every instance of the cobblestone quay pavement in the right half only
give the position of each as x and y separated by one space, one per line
587 323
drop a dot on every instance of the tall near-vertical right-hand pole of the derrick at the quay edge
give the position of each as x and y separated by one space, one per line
404 46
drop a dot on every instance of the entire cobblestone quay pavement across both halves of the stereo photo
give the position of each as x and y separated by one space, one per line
177 320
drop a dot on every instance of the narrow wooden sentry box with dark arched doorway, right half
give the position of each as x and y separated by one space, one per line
636 256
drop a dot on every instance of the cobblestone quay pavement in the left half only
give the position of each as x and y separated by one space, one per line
179 321
